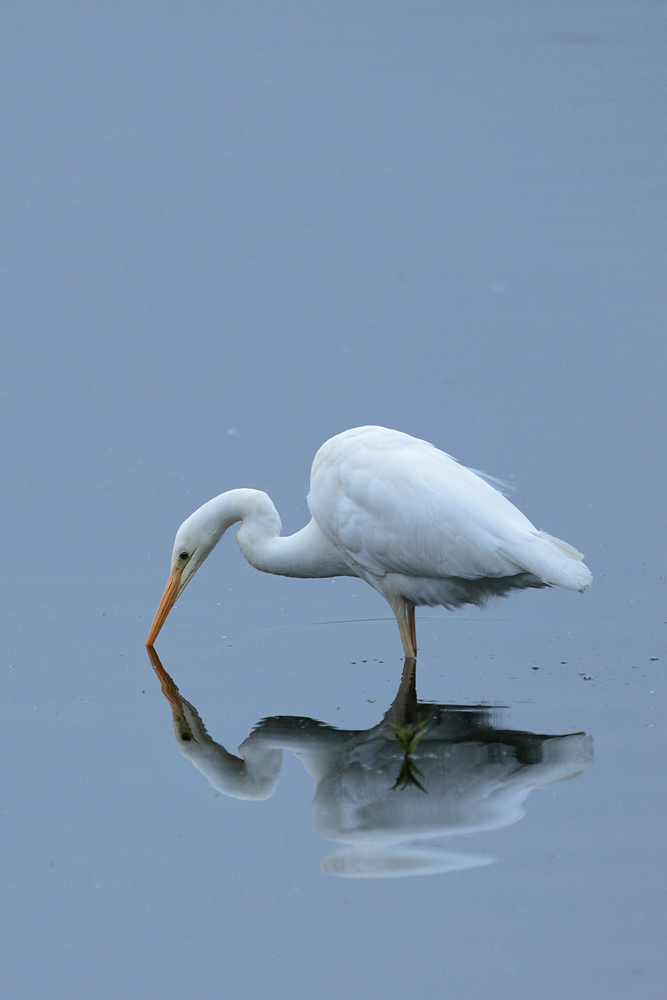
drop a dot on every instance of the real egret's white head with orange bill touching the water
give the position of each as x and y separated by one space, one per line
195 539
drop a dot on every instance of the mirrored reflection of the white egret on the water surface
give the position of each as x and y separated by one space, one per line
393 793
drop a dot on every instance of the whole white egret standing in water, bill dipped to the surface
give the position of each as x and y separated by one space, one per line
395 511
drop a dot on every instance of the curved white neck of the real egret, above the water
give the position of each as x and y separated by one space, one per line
305 554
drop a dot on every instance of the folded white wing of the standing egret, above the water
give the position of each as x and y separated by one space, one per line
395 504
